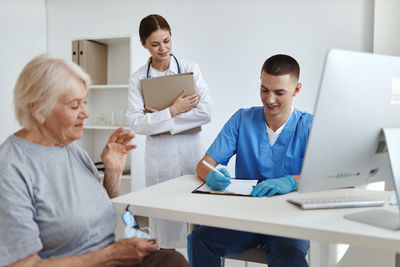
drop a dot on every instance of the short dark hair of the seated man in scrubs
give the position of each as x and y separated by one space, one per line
282 64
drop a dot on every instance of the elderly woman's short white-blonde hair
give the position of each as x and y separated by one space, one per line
42 81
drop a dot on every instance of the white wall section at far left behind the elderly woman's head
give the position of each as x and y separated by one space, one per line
23 36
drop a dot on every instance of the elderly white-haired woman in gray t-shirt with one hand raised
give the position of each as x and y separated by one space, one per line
53 209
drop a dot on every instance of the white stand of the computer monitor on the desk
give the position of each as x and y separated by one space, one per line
380 217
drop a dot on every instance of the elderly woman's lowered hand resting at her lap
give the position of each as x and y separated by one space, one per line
130 251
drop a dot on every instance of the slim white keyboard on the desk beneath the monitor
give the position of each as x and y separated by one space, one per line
336 202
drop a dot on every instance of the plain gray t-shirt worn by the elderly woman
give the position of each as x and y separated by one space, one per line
51 202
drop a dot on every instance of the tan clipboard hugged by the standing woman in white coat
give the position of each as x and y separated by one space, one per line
160 92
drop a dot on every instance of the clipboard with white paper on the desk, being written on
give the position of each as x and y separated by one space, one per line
238 187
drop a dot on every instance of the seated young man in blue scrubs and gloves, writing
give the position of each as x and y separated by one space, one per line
269 143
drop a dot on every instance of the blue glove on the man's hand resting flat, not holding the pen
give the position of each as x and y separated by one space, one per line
272 187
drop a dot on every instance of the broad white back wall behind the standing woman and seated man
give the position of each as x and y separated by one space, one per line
229 39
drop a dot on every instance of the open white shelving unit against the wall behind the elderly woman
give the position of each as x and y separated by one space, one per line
107 103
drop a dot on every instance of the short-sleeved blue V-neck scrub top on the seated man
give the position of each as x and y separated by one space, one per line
246 136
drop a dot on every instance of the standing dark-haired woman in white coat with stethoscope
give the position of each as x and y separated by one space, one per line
173 155
